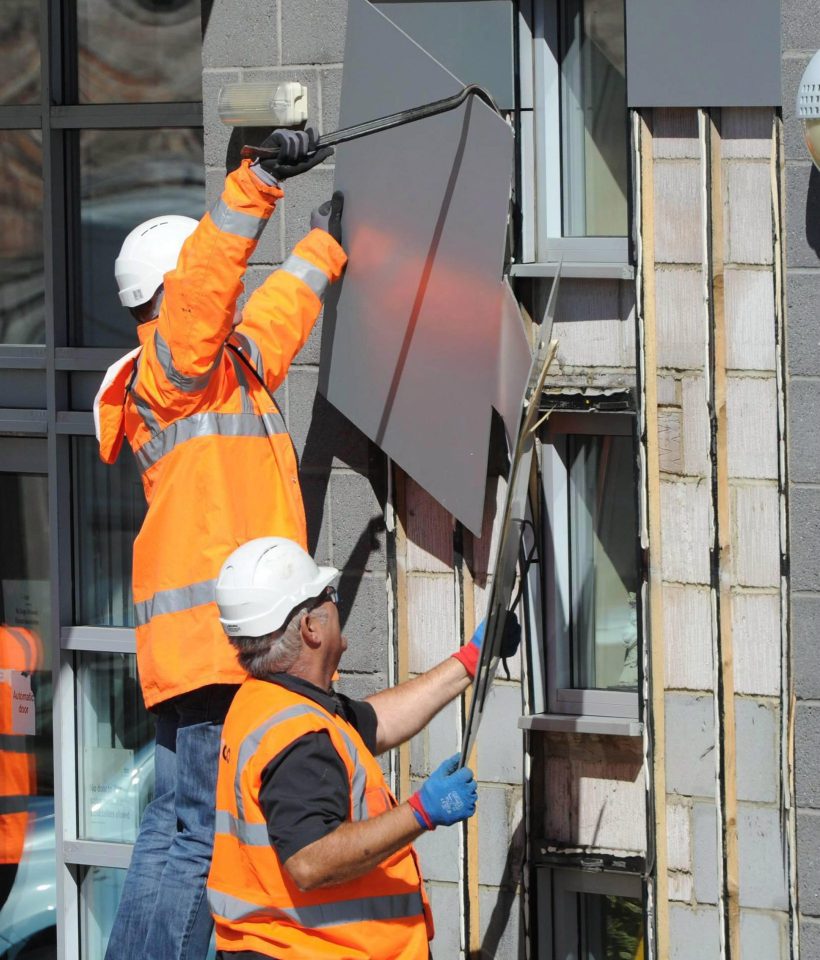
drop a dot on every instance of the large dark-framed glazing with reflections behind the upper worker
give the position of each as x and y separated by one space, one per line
100 128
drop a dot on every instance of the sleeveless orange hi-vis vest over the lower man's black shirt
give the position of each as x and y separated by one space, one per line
257 906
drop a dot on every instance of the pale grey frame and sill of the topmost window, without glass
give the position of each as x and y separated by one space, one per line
543 244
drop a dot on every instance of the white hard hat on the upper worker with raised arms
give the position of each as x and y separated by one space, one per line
149 252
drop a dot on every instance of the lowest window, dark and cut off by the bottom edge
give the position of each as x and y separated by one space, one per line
589 916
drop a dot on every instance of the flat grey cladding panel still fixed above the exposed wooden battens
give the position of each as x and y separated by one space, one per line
703 53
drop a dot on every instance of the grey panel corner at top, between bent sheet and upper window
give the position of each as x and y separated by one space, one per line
471 38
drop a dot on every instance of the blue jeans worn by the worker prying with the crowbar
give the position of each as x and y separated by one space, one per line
163 913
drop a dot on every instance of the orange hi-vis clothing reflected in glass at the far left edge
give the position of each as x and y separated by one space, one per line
20 655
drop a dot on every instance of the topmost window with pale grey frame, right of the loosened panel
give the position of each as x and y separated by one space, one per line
575 137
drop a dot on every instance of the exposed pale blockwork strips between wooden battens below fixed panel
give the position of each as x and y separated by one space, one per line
694 829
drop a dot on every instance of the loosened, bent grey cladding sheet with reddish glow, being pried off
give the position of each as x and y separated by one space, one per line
413 350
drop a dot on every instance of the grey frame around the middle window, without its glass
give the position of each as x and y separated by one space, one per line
560 698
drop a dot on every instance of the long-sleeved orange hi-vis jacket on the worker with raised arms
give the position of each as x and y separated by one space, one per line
218 465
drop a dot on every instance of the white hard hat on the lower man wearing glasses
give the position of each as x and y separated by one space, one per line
262 581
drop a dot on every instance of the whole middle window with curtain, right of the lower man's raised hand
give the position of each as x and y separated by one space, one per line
593 571
